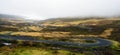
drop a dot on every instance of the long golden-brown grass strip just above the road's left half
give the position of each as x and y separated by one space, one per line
42 34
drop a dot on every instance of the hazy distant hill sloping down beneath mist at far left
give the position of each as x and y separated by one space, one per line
7 18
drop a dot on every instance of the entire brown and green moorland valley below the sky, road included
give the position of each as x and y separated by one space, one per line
67 36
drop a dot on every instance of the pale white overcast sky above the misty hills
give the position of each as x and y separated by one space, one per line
60 8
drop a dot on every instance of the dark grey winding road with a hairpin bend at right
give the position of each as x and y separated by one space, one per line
99 41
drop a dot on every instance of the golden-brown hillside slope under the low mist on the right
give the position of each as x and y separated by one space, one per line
78 21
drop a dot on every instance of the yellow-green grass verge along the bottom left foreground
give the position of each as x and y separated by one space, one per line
20 50
